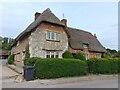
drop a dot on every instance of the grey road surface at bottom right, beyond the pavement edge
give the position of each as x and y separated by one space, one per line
88 84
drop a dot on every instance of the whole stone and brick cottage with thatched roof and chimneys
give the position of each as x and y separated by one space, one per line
49 37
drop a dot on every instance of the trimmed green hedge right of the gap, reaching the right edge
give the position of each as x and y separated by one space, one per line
103 66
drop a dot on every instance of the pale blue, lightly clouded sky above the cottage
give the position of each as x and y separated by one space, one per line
95 17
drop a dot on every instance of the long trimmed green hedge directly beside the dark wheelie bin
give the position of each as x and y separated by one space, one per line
56 68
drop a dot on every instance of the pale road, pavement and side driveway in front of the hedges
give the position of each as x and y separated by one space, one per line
94 81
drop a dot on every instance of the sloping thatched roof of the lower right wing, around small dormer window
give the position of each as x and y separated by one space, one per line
79 37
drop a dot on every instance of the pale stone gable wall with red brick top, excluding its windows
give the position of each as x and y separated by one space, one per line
38 43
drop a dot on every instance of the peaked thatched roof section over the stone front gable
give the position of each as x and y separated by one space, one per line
46 16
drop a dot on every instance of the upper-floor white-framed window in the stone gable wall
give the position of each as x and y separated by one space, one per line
53 35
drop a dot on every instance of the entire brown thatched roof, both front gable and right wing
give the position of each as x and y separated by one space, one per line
76 37
